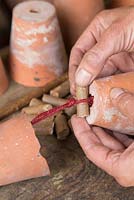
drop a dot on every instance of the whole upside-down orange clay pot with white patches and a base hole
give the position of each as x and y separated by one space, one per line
37 53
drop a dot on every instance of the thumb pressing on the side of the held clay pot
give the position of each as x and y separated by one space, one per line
123 101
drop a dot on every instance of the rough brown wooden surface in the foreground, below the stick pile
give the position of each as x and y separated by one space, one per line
73 177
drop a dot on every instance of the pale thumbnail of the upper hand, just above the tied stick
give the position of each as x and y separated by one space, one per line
83 77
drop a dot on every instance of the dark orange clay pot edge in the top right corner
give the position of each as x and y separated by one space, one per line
118 3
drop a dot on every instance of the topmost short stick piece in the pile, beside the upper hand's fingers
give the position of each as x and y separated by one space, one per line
61 90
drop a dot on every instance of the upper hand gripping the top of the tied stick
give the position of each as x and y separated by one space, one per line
105 47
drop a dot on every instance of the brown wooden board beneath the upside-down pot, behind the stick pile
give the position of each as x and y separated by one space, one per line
17 96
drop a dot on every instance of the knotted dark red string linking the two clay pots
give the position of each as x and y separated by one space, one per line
71 102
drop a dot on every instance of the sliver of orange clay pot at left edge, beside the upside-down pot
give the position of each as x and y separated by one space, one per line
3 79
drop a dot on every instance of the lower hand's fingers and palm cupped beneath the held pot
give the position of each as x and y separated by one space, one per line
113 153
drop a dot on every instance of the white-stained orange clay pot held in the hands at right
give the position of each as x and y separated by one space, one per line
103 113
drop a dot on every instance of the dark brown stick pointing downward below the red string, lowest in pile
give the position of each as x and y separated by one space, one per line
61 126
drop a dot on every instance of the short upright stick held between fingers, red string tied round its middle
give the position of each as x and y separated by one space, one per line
82 108
